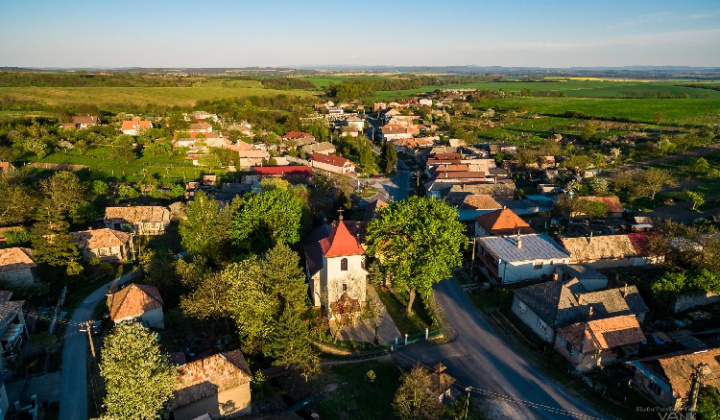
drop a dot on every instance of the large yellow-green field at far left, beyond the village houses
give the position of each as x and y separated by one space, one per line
142 96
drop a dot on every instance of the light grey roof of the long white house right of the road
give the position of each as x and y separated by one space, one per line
534 247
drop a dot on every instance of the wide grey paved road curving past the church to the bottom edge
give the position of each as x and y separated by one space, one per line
478 357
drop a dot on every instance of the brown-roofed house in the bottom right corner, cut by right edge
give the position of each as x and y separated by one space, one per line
669 379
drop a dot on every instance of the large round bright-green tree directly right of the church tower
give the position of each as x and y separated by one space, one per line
418 240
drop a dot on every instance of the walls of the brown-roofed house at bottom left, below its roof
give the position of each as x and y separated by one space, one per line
234 401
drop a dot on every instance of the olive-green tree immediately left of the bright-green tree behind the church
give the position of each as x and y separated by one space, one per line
206 230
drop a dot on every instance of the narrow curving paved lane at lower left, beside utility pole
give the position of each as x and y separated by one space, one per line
73 403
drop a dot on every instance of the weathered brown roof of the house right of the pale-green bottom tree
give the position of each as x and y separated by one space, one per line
209 376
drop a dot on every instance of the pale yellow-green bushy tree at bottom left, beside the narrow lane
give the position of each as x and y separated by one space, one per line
138 378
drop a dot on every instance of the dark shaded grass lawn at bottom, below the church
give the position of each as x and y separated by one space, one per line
355 397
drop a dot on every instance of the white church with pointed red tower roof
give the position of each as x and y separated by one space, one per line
335 264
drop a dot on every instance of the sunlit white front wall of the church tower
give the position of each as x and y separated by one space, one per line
355 278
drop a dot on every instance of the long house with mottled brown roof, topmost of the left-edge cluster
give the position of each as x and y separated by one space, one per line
141 220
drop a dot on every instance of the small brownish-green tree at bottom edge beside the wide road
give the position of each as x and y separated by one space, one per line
414 398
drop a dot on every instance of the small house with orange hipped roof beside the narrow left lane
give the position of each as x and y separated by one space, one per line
139 302
